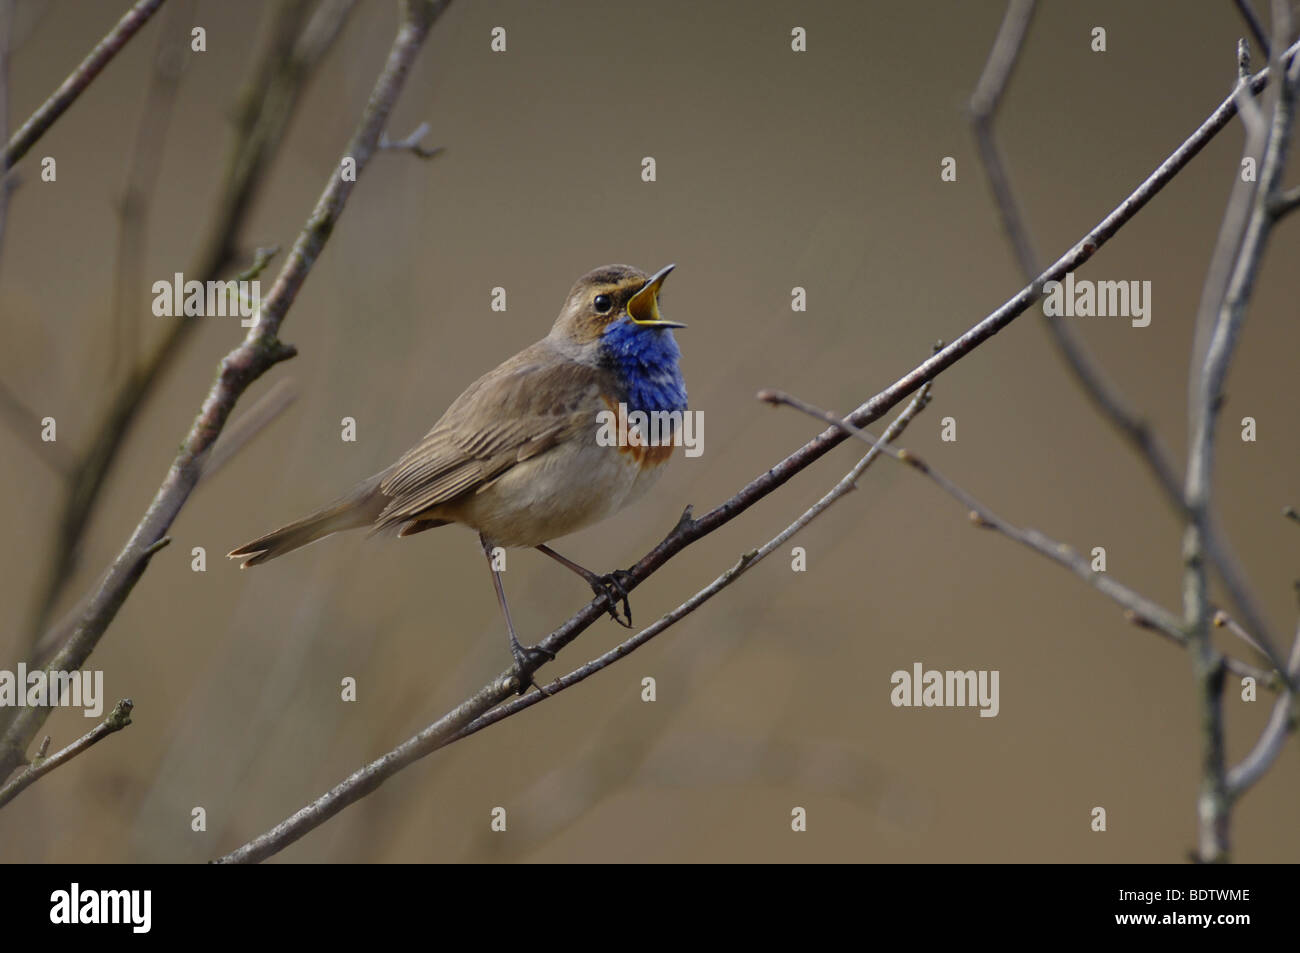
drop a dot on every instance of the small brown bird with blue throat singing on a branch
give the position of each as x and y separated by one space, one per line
517 456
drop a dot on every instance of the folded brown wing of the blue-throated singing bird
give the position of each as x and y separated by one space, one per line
512 414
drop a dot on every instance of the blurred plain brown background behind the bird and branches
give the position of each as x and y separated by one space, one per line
774 170
